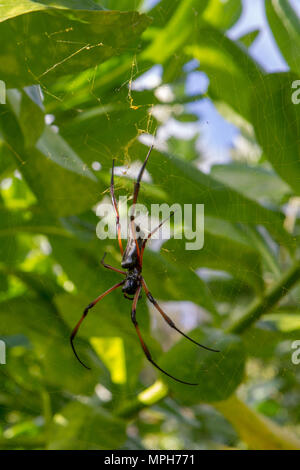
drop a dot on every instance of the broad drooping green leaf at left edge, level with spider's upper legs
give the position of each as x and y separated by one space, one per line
62 183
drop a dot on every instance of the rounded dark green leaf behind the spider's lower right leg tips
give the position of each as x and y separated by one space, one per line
212 371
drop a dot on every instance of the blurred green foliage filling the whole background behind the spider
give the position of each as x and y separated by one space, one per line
73 104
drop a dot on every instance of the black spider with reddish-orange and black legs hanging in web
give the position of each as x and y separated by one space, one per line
132 262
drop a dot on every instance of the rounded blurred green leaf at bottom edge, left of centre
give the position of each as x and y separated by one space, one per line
80 426
